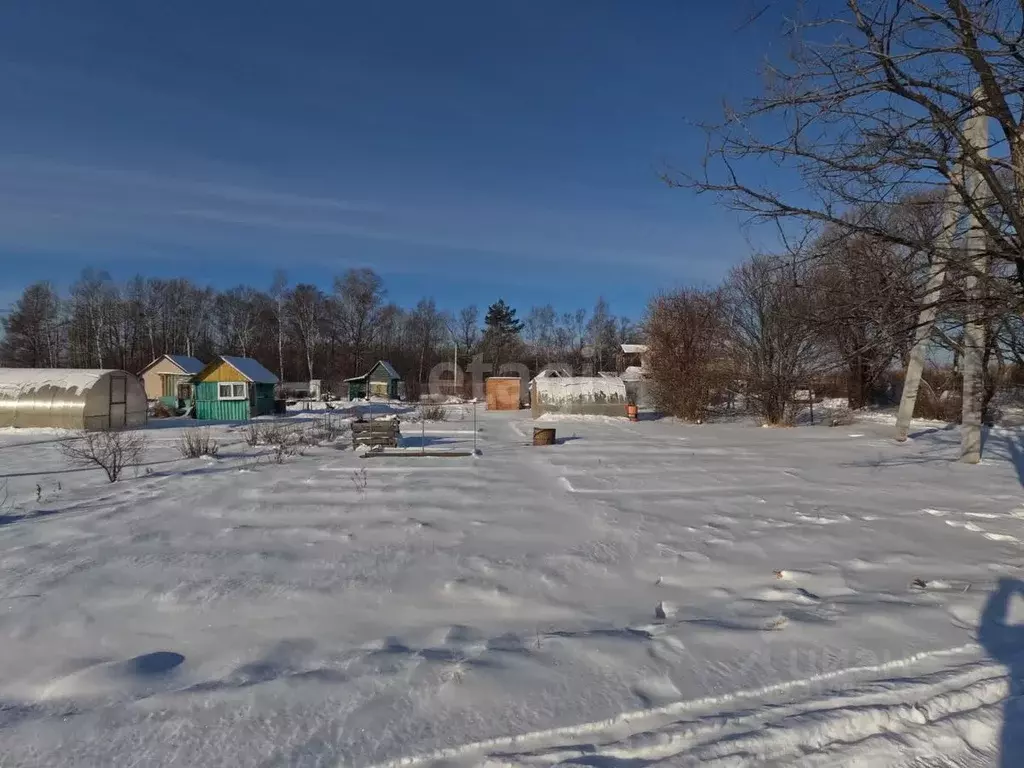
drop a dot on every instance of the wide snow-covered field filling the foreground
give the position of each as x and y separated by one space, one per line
822 591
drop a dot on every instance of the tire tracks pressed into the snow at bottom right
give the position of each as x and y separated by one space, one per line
661 743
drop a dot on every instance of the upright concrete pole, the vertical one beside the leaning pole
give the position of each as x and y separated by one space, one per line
976 132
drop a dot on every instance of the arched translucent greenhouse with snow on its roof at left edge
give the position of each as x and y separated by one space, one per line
71 399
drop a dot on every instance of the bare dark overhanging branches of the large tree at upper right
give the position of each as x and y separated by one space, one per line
872 108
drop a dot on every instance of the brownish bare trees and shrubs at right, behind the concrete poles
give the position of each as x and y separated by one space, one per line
840 315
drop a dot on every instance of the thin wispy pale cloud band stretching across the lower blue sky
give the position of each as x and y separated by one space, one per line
52 206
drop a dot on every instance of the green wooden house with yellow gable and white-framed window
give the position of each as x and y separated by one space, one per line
234 390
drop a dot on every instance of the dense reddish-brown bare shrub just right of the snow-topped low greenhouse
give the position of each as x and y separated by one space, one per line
687 332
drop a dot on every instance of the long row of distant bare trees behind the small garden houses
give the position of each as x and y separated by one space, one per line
298 331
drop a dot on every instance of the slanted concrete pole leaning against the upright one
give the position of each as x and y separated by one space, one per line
926 320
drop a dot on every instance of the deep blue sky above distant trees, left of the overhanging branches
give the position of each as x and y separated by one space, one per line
465 151
